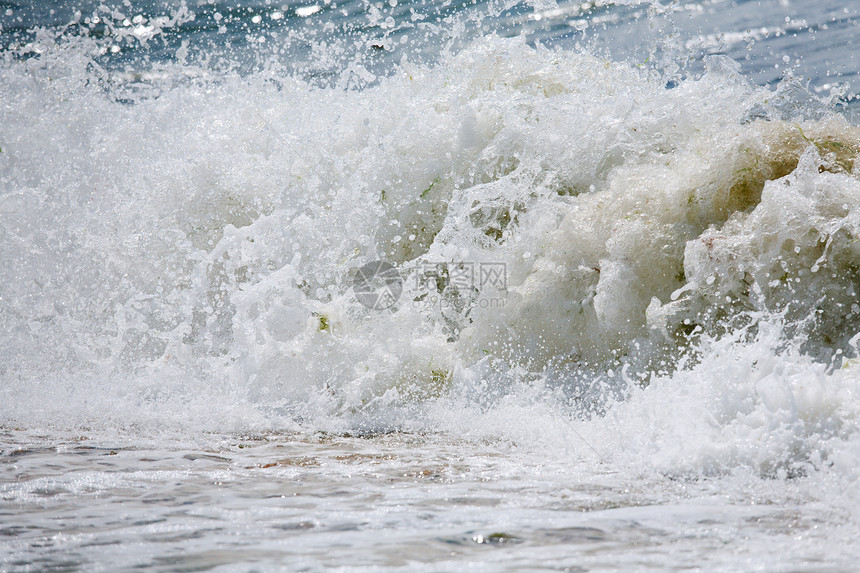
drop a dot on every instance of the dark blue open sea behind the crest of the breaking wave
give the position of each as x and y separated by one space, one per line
814 43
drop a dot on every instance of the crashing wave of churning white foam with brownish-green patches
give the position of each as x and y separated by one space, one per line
189 258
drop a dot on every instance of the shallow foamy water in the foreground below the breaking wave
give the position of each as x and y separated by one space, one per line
397 502
